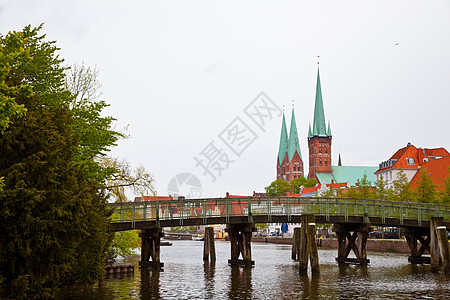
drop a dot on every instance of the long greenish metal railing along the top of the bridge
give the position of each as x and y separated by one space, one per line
286 206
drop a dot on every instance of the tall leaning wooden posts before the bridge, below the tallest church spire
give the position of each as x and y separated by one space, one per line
307 245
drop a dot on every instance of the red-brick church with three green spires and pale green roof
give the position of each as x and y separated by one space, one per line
290 162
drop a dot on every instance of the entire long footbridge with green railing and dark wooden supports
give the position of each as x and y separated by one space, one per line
352 219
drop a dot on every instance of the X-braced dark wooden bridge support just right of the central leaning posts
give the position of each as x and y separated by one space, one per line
352 237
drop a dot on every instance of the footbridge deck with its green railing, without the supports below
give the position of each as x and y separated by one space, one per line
153 214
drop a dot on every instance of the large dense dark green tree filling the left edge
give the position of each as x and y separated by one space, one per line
53 210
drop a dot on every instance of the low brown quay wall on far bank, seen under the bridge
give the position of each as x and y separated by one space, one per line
380 245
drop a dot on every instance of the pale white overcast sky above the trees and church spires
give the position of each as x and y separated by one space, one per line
179 72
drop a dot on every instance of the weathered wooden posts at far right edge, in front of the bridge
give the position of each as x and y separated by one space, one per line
439 251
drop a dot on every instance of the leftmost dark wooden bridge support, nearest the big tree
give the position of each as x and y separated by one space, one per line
151 248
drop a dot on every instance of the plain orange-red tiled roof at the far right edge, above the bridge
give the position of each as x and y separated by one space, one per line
437 169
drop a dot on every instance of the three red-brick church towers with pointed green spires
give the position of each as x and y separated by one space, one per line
289 162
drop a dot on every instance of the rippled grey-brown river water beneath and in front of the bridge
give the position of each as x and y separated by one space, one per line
274 276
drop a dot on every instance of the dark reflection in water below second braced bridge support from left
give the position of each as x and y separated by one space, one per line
240 283
